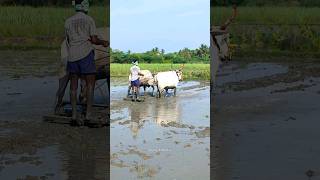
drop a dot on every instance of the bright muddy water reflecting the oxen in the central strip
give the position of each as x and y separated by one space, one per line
165 138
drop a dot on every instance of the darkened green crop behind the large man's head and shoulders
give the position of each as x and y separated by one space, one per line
25 27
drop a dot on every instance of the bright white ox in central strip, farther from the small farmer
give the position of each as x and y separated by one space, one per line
167 80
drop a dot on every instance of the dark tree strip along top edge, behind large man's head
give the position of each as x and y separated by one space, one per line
37 3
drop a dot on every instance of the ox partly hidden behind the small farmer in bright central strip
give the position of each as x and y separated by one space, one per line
147 80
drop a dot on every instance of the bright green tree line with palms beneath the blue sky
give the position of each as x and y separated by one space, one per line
156 55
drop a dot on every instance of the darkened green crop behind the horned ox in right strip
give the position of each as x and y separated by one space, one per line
273 31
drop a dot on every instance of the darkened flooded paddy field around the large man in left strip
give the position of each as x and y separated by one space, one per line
31 148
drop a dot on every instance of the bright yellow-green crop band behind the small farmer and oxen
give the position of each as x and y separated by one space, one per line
190 71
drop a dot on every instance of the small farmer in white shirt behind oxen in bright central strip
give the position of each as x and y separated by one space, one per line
135 81
